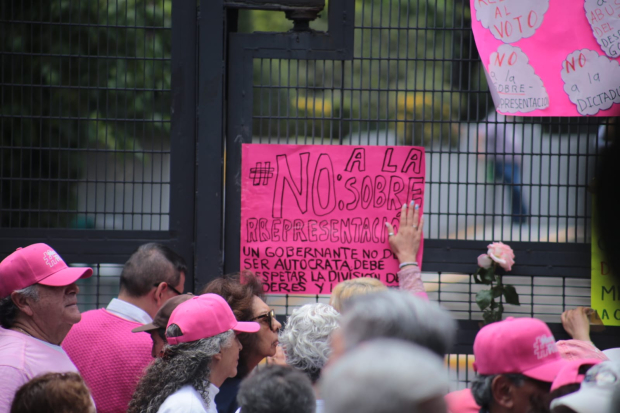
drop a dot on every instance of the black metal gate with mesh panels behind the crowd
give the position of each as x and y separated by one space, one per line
116 118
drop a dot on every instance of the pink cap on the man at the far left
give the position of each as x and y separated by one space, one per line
37 264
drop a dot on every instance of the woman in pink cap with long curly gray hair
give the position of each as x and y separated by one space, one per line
202 352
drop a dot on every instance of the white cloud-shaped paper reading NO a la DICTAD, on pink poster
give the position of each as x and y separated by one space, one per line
591 81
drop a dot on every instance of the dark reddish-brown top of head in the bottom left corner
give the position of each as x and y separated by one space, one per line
53 392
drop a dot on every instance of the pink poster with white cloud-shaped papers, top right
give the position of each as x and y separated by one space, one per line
550 57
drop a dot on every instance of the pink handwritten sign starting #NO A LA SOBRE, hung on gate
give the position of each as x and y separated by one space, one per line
314 215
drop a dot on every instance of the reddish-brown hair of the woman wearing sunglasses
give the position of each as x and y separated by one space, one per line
239 290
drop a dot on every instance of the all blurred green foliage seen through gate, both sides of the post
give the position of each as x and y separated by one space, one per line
86 77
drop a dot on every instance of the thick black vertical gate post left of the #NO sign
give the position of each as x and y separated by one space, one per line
205 253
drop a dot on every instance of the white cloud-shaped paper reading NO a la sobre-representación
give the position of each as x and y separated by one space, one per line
517 87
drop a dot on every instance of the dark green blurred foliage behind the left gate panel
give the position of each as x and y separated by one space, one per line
78 78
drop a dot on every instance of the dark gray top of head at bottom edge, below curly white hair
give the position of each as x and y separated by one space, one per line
276 389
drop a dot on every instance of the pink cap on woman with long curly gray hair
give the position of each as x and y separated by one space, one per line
206 316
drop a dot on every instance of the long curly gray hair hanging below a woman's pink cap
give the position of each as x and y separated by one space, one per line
181 364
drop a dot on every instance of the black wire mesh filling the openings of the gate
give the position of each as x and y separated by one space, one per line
85 96
